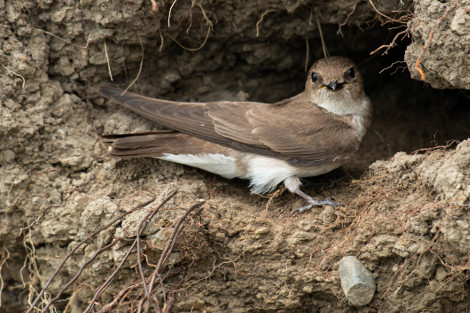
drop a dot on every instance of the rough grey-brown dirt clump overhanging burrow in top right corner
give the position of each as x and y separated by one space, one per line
441 44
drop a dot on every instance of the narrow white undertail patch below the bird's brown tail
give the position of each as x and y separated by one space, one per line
216 163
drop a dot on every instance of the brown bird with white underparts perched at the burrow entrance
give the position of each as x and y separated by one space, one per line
309 134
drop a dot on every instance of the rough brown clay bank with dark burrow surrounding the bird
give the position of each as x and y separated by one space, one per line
405 195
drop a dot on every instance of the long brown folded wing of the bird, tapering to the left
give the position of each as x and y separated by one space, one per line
302 134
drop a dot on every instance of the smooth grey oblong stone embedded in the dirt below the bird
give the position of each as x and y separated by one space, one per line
357 281
